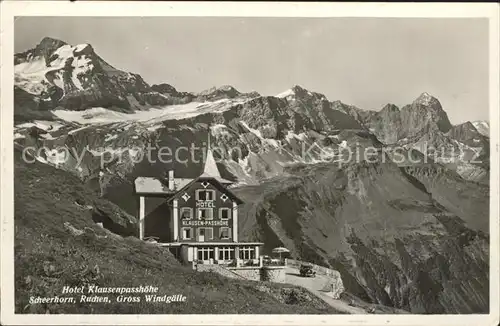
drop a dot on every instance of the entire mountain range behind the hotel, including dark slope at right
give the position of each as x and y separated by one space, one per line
408 234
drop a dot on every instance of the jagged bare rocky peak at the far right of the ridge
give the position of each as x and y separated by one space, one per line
424 126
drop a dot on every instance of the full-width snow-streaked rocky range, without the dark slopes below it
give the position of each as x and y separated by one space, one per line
69 97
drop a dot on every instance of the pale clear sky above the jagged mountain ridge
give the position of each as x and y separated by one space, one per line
366 62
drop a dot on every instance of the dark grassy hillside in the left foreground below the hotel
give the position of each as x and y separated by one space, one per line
48 256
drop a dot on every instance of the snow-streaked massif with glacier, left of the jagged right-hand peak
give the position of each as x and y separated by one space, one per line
54 80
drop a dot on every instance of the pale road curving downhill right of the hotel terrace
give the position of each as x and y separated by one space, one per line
315 285
